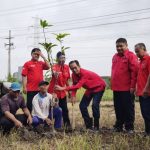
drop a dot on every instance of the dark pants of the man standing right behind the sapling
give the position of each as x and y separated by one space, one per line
65 114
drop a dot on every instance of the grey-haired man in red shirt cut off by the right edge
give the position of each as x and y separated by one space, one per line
143 84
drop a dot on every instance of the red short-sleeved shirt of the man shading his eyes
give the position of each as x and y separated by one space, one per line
34 72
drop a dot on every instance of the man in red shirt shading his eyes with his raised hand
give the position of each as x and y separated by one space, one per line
32 75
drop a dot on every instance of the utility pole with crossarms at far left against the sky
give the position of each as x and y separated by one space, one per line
9 44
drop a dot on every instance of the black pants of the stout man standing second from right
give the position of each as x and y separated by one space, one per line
124 109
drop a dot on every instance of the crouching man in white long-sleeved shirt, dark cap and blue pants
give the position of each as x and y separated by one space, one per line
41 108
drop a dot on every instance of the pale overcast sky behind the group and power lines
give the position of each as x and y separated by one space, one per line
94 26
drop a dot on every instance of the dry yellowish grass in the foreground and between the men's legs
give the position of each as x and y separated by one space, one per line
105 140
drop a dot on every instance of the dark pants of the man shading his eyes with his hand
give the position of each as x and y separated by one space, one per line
30 96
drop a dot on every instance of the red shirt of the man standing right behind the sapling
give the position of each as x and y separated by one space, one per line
62 79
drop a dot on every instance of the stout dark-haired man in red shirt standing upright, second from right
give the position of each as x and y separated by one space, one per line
123 81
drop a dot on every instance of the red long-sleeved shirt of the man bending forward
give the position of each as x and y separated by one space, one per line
87 79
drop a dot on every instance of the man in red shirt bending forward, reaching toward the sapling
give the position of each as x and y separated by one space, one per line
94 86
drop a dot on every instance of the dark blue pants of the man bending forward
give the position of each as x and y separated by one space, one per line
95 108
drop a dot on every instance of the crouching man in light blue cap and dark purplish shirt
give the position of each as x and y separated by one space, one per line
9 105
